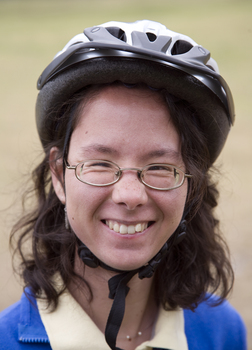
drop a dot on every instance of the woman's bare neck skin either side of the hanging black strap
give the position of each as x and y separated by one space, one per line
140 310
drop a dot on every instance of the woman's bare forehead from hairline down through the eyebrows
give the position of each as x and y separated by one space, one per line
125 120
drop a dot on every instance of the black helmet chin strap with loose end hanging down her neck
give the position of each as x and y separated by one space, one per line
118 288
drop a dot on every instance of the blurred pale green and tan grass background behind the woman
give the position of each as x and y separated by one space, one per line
31 32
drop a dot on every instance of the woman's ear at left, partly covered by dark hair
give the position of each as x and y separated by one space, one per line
56 167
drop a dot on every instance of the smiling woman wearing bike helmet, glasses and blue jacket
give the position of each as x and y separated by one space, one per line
125 248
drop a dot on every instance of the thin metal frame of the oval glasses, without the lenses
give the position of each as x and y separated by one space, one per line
120 170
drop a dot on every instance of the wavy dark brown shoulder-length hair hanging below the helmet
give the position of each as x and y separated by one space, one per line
197 266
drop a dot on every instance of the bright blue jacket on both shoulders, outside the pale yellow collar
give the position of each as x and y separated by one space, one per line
208 328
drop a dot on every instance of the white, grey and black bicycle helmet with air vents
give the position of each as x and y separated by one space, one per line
140 52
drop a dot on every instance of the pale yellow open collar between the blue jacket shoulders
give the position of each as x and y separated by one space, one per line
69 327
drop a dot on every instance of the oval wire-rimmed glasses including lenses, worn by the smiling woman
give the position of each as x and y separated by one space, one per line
159 176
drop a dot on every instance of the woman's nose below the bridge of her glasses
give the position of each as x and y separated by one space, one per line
129 191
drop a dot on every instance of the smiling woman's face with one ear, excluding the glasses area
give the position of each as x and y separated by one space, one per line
131 127
